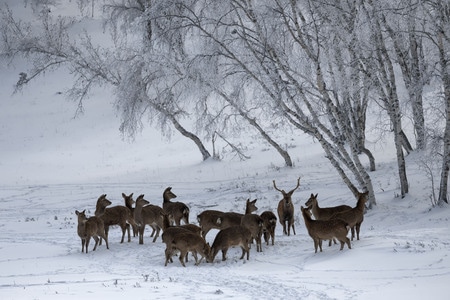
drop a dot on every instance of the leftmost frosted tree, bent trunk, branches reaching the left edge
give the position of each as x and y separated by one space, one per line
146 84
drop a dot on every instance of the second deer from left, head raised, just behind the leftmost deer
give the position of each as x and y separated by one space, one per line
116 215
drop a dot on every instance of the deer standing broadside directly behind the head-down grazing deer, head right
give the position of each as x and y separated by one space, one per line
214 219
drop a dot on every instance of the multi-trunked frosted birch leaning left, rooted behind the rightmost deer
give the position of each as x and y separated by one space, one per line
267 43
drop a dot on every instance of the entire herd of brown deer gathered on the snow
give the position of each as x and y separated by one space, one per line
235 229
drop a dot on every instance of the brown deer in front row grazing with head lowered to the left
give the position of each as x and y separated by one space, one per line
230 237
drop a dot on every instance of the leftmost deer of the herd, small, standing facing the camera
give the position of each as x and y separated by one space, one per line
90 227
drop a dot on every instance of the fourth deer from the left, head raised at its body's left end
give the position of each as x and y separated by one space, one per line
147 214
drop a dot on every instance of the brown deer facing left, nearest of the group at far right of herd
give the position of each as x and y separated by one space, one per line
320 230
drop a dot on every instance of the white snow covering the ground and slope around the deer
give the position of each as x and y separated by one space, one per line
53 164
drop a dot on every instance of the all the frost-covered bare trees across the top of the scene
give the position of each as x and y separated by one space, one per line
313 66
